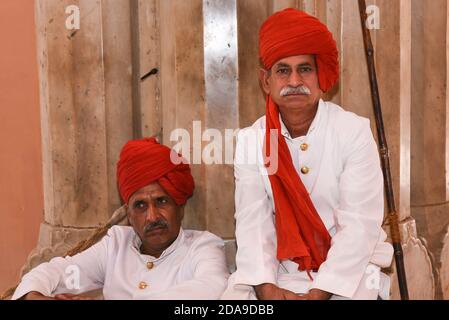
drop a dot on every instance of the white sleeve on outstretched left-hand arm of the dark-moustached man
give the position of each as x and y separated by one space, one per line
80 273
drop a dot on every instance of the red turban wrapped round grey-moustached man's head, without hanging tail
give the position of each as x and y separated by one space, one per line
293 32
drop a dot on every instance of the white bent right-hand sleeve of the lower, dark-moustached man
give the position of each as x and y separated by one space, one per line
210 273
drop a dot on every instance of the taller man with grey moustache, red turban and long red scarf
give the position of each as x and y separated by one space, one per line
309 212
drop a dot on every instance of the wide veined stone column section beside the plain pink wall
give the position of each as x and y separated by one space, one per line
86 116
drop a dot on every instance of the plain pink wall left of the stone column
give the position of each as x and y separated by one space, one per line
21 195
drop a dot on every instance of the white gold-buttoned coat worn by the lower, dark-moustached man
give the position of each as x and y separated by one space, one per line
193 267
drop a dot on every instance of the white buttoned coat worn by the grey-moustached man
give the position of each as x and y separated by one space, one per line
345 183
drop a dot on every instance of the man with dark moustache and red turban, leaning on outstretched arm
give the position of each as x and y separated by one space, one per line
154 258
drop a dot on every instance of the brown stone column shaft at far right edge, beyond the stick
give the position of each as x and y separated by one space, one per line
429 103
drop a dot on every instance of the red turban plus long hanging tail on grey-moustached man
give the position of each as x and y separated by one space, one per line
301 234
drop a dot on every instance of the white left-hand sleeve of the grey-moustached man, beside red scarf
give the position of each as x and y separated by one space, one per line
255 229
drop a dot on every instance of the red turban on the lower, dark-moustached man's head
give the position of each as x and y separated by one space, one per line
146 161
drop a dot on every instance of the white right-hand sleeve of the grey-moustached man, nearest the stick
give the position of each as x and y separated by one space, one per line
358 218
